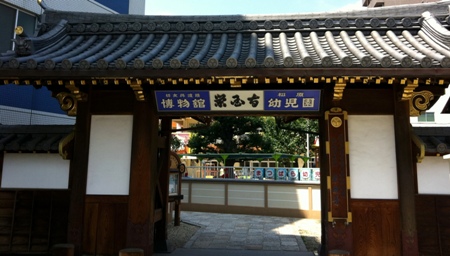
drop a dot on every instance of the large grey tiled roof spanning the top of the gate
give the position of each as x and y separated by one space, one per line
106 42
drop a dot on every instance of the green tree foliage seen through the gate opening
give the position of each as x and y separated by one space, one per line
253 135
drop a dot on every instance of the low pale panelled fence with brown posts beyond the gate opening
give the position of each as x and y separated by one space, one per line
245 196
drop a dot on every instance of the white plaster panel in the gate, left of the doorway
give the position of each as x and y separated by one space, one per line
109 155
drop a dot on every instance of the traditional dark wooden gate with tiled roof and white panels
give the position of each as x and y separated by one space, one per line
372 68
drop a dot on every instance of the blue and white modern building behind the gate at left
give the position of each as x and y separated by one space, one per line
28 105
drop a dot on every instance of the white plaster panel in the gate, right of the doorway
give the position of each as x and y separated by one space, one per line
373 171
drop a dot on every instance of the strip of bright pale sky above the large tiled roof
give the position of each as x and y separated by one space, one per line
225 7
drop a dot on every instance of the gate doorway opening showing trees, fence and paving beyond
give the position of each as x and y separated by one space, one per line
234 173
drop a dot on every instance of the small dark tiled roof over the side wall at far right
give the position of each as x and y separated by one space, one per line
435 139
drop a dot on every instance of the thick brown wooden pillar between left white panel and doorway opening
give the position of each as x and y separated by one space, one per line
143 171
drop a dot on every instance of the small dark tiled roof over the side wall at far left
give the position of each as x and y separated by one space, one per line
33 138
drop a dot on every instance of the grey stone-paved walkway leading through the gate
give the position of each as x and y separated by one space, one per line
242 235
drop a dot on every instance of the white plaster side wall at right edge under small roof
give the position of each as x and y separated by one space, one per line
433 176
